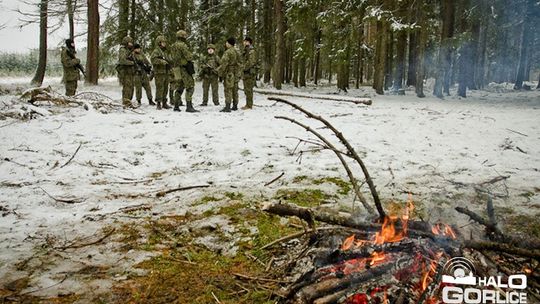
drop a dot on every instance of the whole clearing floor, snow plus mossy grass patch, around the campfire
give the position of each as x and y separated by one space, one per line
92 229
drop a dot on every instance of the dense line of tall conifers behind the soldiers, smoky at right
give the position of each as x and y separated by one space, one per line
388 44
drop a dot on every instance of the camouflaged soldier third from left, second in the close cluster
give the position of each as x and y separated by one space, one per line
143 75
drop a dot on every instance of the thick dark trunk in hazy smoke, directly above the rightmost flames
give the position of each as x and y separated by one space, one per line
442 79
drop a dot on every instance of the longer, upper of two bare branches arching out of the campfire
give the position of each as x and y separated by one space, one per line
352 153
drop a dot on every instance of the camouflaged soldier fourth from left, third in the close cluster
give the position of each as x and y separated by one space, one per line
162 68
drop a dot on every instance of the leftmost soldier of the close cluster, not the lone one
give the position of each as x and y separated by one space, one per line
126 70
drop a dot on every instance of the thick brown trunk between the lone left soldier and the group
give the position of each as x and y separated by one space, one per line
92 55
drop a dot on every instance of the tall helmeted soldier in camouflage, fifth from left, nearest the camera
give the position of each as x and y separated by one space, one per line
183 70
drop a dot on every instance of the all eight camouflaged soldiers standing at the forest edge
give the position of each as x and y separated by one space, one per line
172 69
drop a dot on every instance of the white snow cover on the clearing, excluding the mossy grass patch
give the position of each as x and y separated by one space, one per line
437 150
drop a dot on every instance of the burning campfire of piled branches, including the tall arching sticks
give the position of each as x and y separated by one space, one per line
394 258
